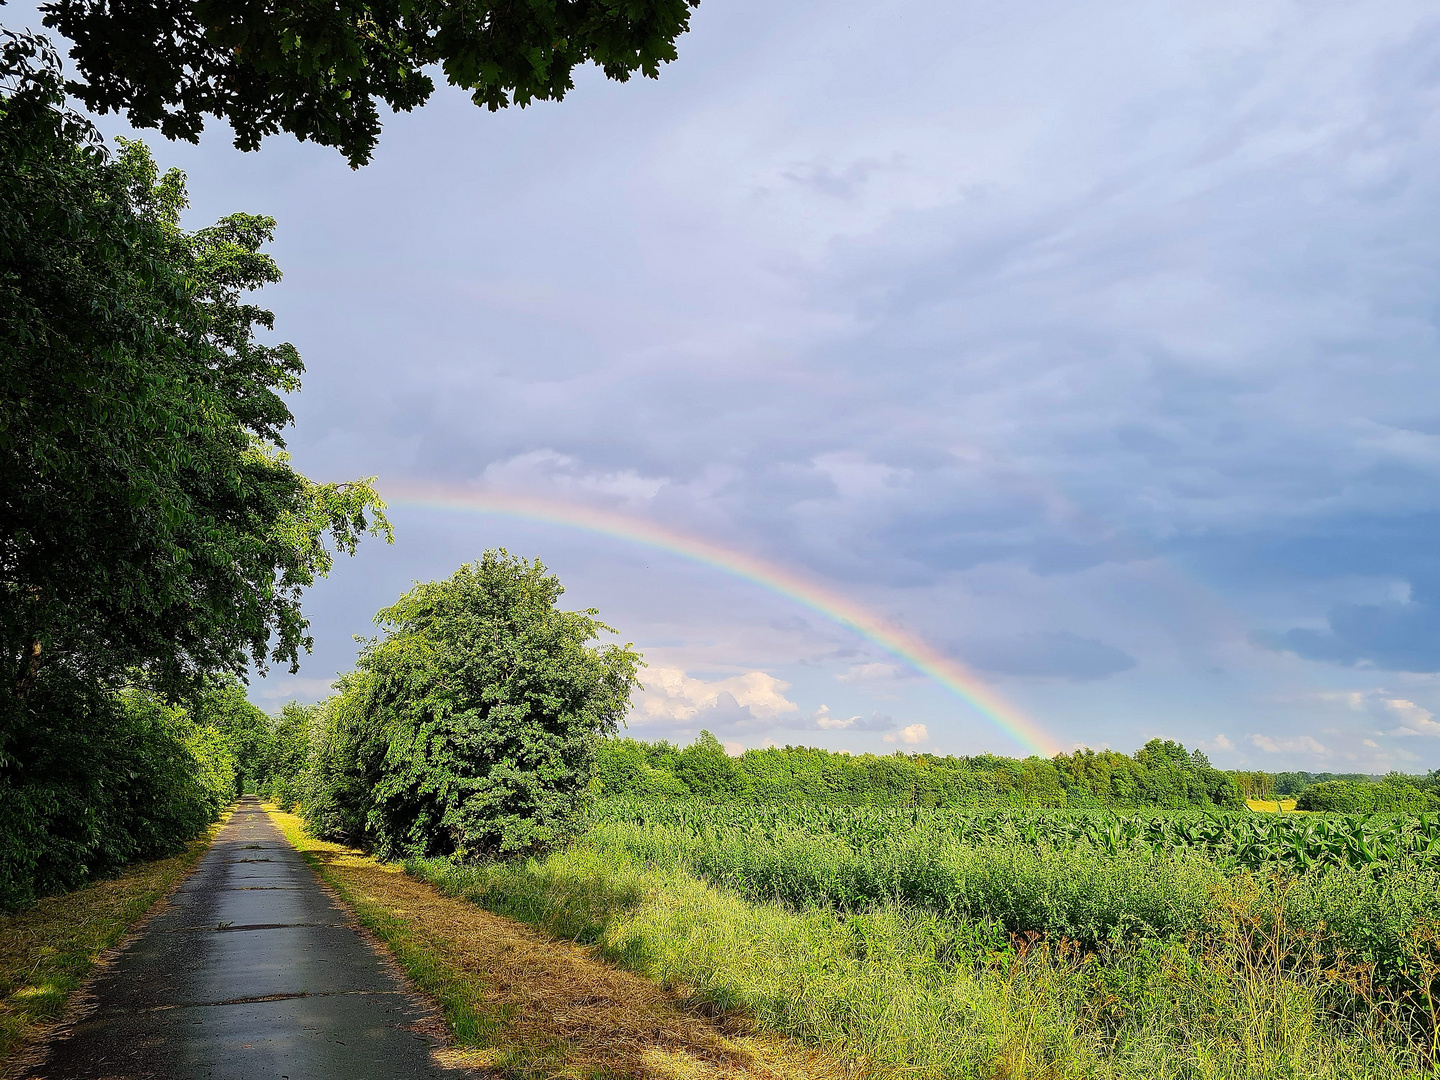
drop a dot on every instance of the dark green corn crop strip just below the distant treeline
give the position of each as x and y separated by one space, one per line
1295 843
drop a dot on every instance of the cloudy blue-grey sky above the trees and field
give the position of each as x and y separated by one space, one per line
1091 345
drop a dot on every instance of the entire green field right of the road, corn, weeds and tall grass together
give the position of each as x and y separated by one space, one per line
941 944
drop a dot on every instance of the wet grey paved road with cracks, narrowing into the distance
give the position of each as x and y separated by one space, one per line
253 973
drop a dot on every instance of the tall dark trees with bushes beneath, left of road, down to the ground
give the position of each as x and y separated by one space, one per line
153 535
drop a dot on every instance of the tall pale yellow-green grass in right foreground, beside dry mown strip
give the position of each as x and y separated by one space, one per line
898 991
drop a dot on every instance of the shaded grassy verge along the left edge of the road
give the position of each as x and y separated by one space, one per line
48 950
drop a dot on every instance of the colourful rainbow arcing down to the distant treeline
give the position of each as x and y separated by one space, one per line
820 600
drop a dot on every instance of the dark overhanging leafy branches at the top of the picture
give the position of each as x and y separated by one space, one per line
319 70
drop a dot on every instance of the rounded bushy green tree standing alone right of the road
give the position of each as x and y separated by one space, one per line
473 724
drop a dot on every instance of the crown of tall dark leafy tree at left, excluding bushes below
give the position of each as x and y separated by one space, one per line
149 516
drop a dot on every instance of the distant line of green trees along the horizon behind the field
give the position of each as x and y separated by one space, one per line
1161 775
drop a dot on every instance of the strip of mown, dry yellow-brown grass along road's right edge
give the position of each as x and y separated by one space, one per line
522 1004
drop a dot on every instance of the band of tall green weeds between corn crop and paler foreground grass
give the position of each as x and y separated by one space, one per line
1380 915
